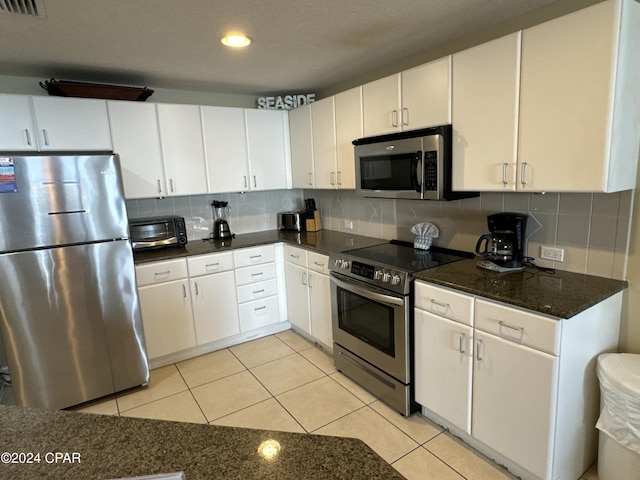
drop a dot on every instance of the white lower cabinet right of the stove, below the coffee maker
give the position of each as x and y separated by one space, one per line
516 385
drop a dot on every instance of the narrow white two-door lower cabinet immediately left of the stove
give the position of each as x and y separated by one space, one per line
308 293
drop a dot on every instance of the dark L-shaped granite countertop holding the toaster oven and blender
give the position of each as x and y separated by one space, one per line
323 241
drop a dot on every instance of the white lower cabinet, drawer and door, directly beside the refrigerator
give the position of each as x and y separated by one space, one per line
165 303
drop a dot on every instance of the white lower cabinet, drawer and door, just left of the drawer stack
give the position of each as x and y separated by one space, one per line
213 296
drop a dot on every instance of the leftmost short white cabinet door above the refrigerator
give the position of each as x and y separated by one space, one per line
17 132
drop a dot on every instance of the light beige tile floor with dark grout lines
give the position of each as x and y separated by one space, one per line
283 382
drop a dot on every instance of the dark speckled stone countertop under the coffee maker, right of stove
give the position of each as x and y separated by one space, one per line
560 294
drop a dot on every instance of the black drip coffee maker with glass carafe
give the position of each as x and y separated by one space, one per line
503 248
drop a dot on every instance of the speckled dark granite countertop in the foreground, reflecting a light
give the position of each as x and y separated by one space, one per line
105 447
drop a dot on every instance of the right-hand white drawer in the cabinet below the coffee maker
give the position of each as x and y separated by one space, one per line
536 331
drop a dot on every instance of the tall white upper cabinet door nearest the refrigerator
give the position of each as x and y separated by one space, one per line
136 138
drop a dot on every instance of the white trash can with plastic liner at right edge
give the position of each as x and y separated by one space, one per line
619 422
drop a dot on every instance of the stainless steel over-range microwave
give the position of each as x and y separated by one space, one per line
414 165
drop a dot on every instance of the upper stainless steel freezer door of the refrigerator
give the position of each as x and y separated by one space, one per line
60 200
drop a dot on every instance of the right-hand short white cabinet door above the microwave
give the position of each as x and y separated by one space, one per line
426 95
